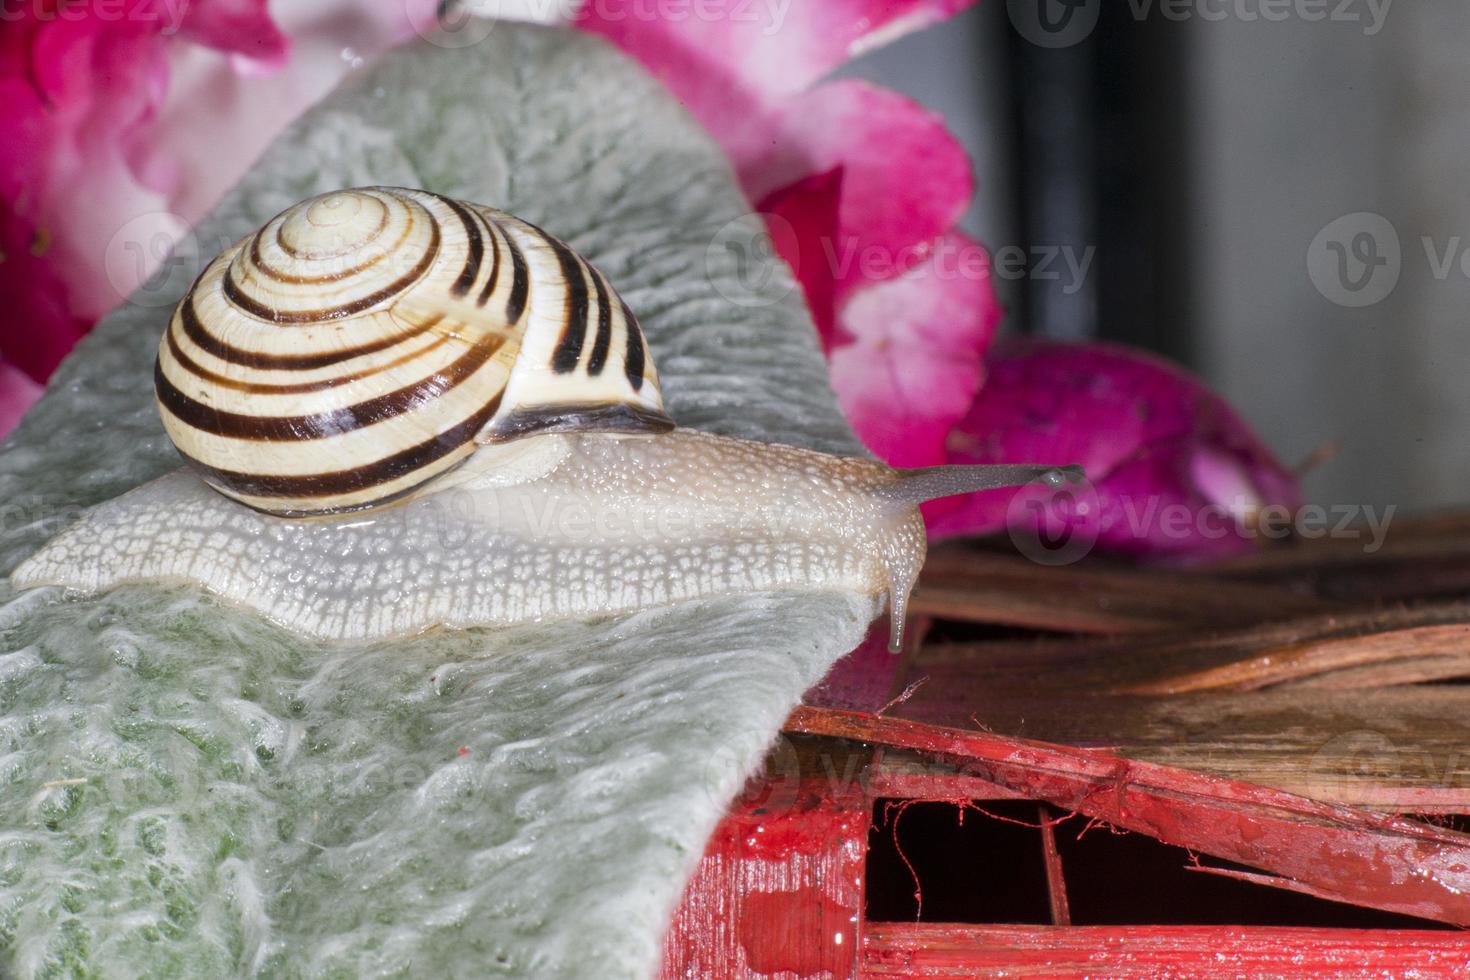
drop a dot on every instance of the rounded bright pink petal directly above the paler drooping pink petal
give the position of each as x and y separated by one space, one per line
906 180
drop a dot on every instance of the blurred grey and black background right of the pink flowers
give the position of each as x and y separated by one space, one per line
1272 195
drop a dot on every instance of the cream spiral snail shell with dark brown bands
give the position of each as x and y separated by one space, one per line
365 342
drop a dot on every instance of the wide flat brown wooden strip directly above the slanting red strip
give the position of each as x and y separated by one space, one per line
1403 749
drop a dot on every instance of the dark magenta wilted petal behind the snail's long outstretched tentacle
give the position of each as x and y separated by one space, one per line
1172 469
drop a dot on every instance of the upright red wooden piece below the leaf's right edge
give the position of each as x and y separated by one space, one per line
780 891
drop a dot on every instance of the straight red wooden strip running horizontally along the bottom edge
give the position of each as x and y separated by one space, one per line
906 950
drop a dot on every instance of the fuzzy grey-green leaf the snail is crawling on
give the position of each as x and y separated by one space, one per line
189 791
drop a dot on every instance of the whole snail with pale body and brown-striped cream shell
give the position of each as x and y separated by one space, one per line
402 412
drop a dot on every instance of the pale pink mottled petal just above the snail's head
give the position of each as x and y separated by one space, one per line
915 362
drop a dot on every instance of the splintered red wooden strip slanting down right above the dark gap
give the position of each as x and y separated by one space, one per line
1349 856
